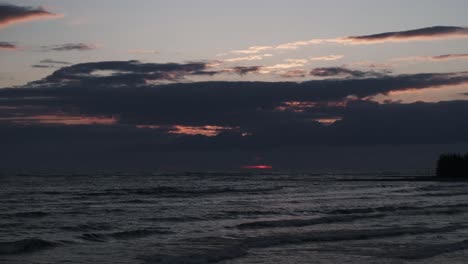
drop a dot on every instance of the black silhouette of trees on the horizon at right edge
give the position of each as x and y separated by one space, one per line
452 165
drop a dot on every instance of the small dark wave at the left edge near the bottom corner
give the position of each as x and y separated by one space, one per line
25 246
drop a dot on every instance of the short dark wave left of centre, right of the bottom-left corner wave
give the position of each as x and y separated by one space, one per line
130 234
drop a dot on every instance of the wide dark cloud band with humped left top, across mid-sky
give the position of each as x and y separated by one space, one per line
125 94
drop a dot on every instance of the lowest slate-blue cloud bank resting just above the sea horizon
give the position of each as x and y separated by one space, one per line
388 136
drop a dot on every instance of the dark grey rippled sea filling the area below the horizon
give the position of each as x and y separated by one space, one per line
231 218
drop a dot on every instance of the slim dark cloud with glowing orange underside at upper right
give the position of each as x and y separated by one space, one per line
437 32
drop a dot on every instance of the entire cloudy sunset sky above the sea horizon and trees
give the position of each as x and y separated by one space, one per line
226 85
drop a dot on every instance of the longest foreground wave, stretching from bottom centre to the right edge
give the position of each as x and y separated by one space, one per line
217 249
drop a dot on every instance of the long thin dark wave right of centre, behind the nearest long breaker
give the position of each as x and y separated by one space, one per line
304 222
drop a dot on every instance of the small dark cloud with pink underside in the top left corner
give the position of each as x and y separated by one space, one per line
10 14
